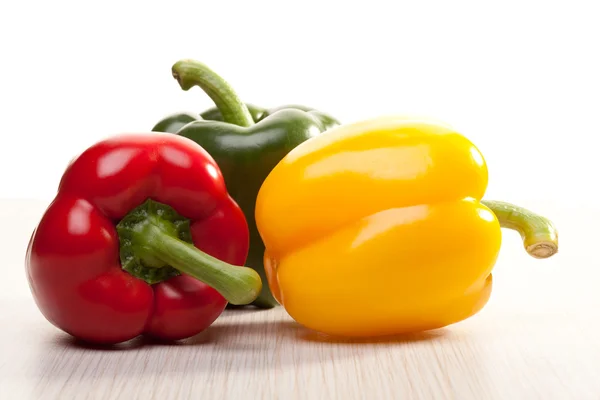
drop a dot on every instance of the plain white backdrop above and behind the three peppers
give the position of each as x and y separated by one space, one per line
519 78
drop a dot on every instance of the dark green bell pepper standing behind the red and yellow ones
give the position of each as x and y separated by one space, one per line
245 150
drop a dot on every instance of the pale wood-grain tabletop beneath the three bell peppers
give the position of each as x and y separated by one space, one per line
536 339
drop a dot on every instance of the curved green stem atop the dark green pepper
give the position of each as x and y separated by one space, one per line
189 73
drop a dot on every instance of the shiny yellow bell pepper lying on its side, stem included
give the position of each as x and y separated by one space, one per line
378 228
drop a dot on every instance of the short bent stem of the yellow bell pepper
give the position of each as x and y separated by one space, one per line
540 237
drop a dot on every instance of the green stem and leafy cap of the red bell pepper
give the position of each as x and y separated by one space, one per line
155 245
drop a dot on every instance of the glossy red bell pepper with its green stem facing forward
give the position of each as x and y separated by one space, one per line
141 238
